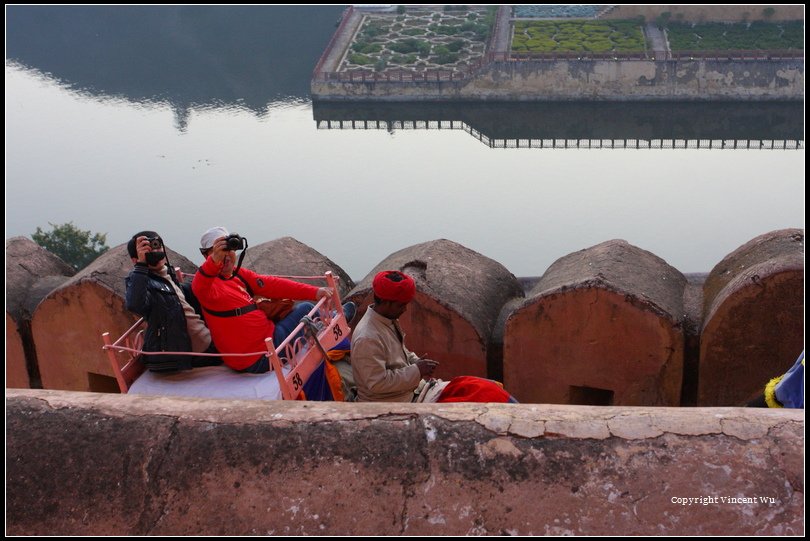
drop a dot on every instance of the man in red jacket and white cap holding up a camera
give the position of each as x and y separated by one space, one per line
236 325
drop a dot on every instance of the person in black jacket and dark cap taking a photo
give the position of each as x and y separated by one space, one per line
171 311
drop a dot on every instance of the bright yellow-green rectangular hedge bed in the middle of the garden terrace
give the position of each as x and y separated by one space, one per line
578 36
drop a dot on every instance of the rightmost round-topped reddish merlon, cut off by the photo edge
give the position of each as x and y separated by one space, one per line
753 323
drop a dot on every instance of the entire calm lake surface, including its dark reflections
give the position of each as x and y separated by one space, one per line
179 119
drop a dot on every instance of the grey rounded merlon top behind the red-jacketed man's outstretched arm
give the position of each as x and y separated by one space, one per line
289 257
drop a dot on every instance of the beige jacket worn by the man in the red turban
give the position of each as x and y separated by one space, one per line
383 369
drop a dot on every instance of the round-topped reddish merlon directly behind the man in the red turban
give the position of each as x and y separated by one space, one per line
459 296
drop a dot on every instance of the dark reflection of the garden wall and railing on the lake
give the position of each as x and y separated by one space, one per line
588 125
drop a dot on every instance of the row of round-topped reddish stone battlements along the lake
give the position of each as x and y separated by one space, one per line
611 324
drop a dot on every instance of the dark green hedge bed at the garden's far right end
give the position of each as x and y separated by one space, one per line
758 35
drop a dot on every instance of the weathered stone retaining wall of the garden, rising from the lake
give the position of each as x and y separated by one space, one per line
596 80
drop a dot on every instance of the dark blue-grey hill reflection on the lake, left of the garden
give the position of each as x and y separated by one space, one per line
191 57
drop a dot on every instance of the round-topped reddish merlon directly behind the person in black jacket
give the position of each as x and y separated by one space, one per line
68 324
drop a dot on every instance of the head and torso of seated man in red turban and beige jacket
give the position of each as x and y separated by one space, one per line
383 368
